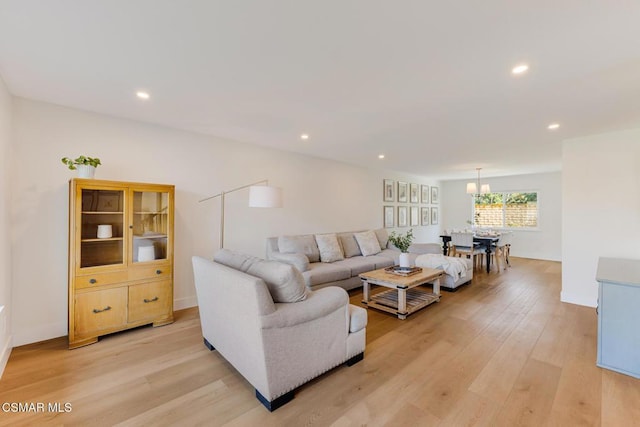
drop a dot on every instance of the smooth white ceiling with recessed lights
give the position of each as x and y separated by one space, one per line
426 83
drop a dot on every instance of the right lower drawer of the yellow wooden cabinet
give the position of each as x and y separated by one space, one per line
150 300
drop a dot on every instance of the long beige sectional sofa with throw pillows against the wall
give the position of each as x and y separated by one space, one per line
336 259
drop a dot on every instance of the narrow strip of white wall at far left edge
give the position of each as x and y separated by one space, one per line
5 249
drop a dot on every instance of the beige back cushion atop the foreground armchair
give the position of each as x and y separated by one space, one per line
284 281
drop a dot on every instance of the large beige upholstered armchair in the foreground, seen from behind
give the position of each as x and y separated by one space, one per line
276 346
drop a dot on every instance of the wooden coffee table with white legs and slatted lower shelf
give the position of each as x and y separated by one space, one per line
404 297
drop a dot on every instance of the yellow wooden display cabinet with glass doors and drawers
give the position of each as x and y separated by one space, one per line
120 274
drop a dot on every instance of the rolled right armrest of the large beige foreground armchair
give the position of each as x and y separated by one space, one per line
318 304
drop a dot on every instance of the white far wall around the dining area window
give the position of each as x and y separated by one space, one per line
543 243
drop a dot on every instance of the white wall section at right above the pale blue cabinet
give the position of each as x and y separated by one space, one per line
601 208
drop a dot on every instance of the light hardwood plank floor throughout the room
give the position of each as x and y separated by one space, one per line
502 351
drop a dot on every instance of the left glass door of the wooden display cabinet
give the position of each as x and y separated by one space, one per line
102 227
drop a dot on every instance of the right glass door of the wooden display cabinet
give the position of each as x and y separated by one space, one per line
150 225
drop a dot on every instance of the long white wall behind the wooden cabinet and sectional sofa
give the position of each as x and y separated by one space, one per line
320 196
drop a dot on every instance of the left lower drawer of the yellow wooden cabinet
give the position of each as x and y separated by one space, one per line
100 311
